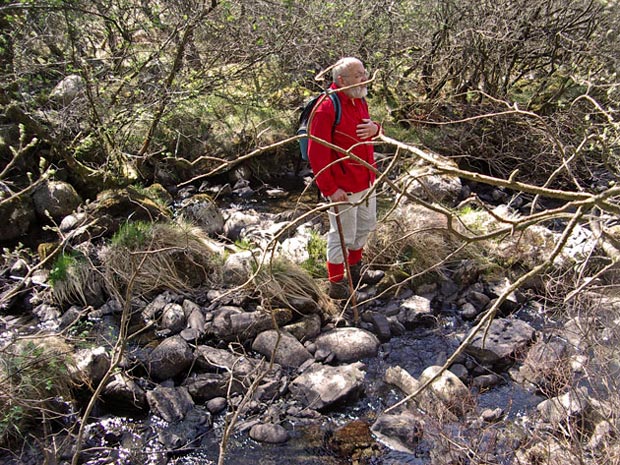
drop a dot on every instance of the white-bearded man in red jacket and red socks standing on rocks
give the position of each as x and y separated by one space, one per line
341 178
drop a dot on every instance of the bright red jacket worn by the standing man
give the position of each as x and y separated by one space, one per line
348 174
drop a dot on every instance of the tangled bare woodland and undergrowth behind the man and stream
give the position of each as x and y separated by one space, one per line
522 96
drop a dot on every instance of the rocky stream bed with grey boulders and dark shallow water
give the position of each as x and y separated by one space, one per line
208 367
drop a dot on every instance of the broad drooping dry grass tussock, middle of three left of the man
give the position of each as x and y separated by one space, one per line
150 257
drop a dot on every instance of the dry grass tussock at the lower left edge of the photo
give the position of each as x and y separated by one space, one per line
33 373
